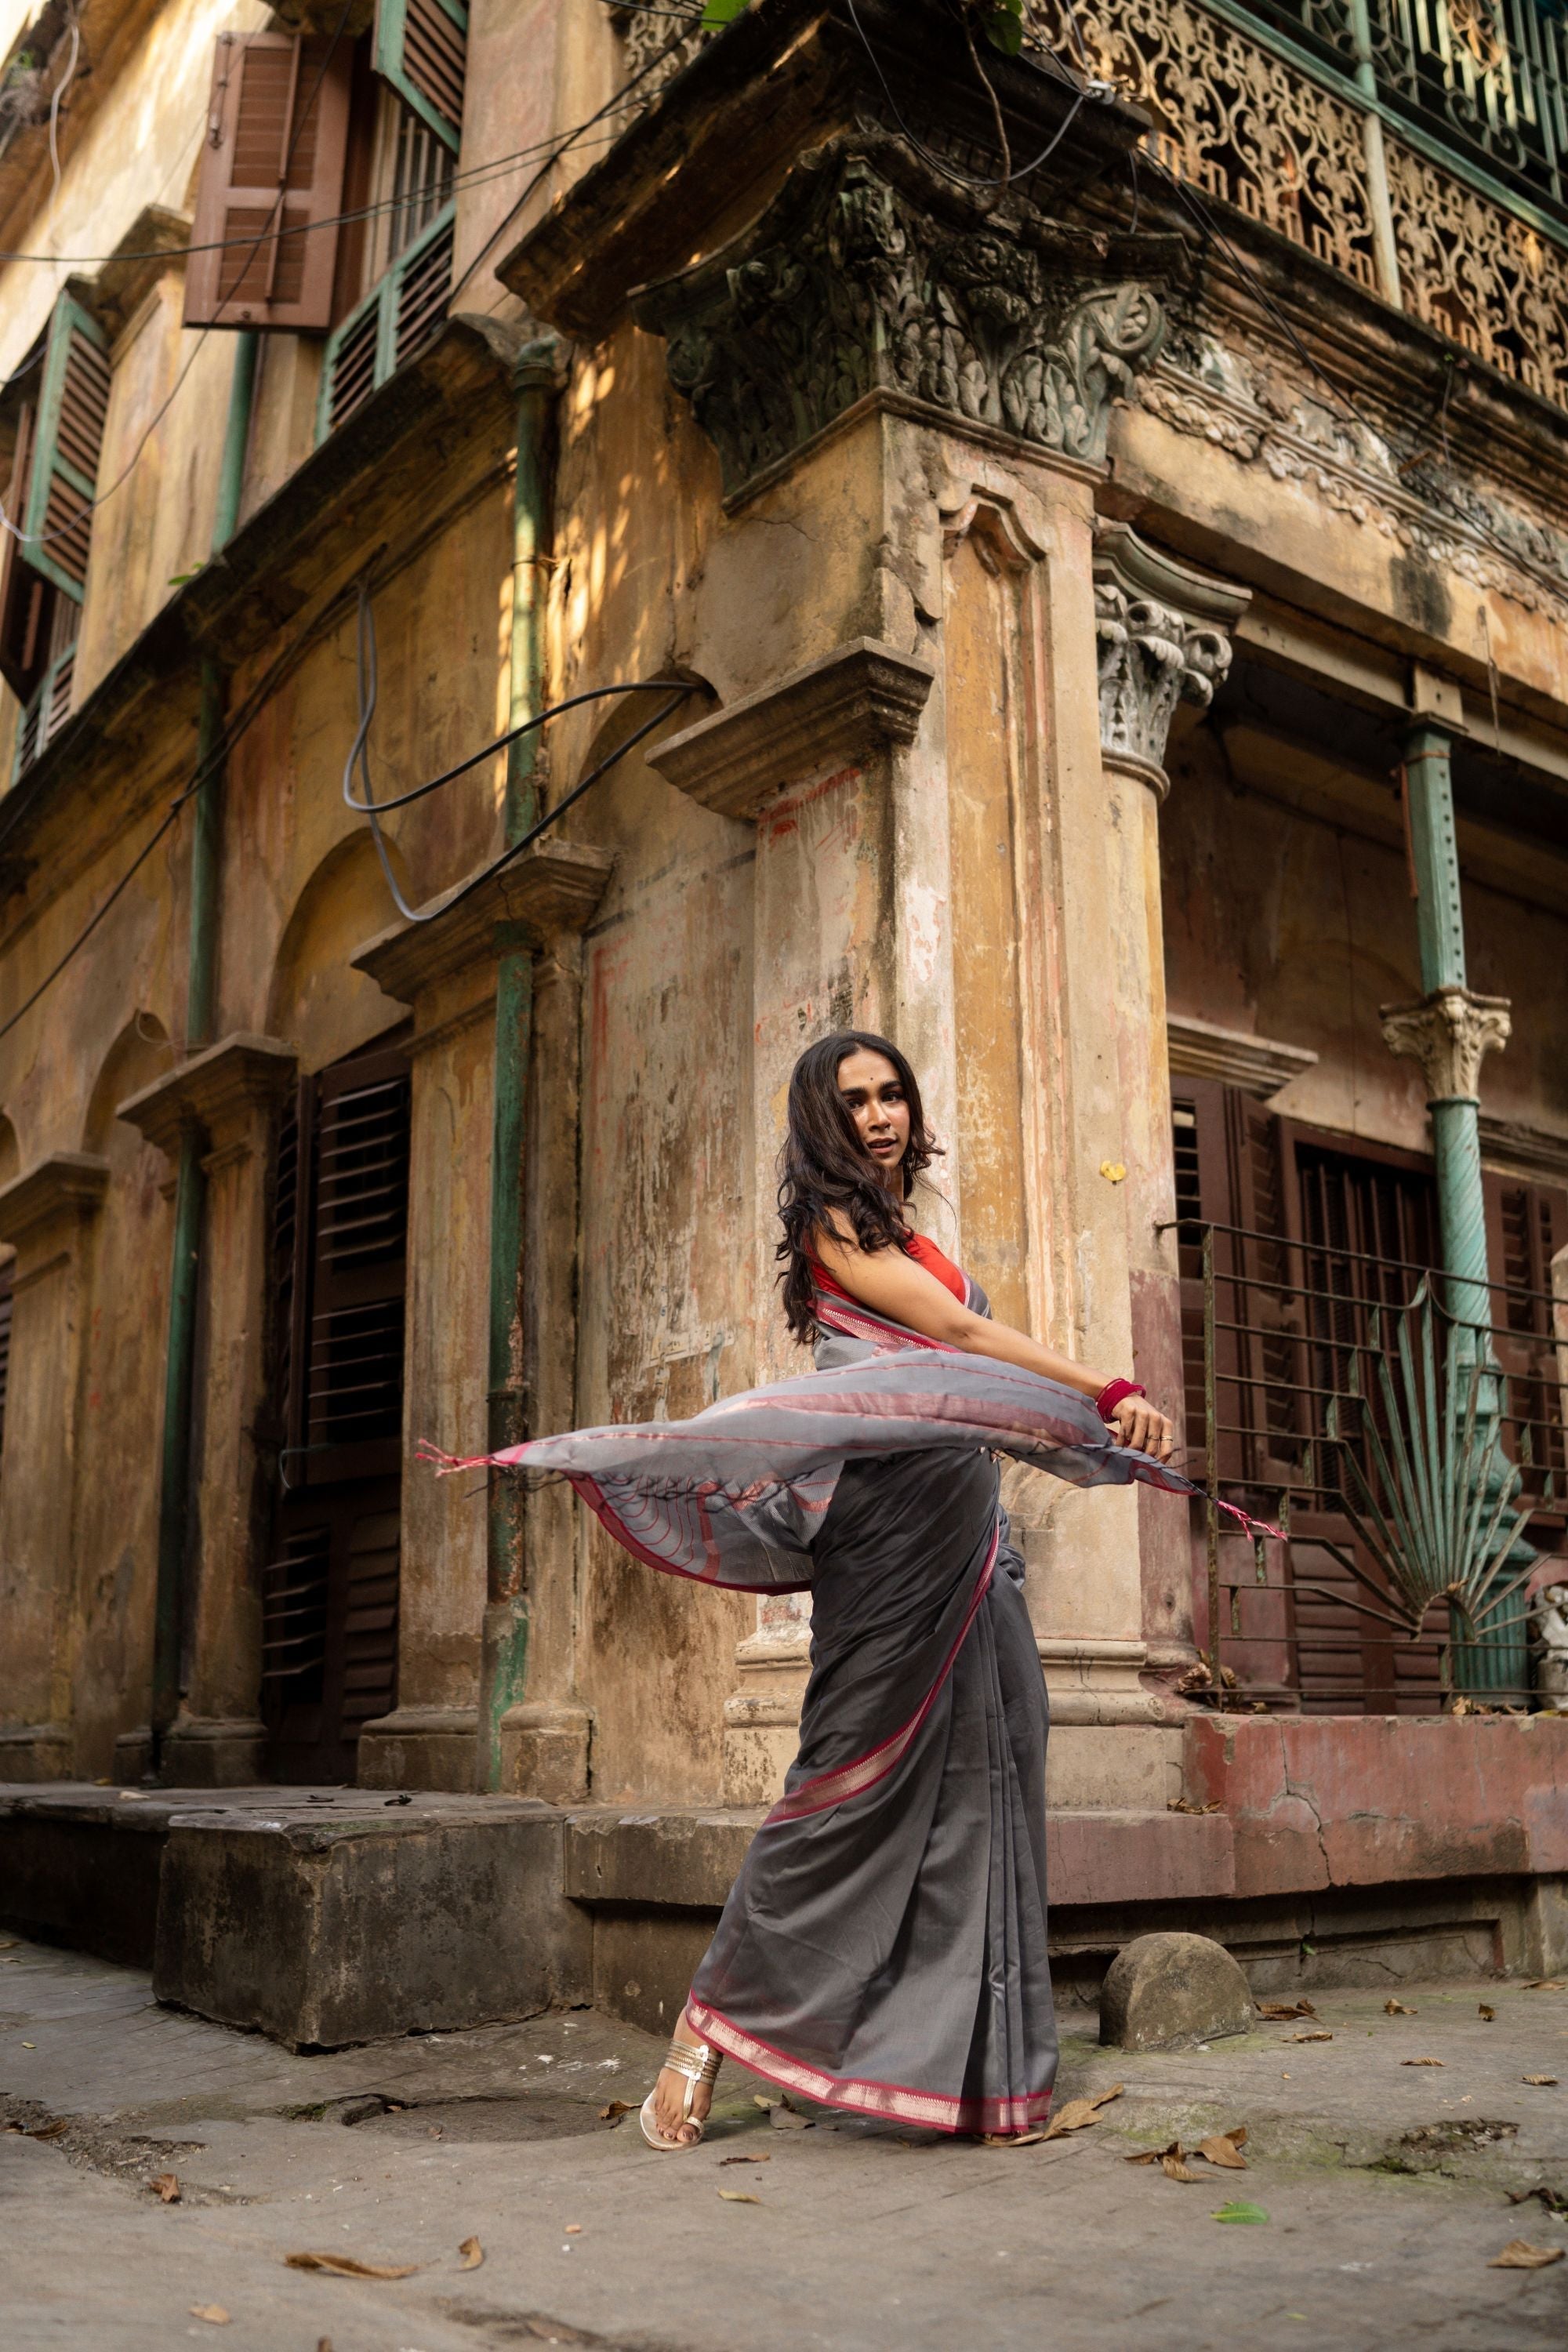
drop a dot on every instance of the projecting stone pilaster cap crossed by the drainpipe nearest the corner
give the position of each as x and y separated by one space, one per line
549 890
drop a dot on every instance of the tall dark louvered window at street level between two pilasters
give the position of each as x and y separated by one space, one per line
340 1271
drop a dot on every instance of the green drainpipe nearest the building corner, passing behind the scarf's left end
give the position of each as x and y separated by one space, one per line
507 1605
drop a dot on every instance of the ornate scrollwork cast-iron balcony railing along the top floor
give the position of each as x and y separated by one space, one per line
1419 147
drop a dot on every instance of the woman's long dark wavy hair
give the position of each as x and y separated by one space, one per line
824 1168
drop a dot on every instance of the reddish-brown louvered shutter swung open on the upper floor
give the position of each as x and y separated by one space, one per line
272 168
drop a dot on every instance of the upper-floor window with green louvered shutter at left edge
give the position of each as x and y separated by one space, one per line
43 566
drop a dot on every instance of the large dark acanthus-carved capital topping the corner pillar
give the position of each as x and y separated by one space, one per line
873 274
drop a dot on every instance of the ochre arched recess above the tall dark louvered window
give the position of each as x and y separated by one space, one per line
319 1003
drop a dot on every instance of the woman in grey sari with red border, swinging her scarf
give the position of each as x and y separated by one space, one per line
885 1946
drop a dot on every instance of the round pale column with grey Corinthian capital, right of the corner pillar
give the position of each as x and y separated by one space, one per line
1162 639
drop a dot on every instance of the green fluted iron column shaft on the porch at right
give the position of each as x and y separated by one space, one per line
1496 1655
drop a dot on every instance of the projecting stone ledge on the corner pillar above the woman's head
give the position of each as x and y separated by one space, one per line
829 714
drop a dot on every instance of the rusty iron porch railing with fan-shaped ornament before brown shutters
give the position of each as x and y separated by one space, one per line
1318 1382
